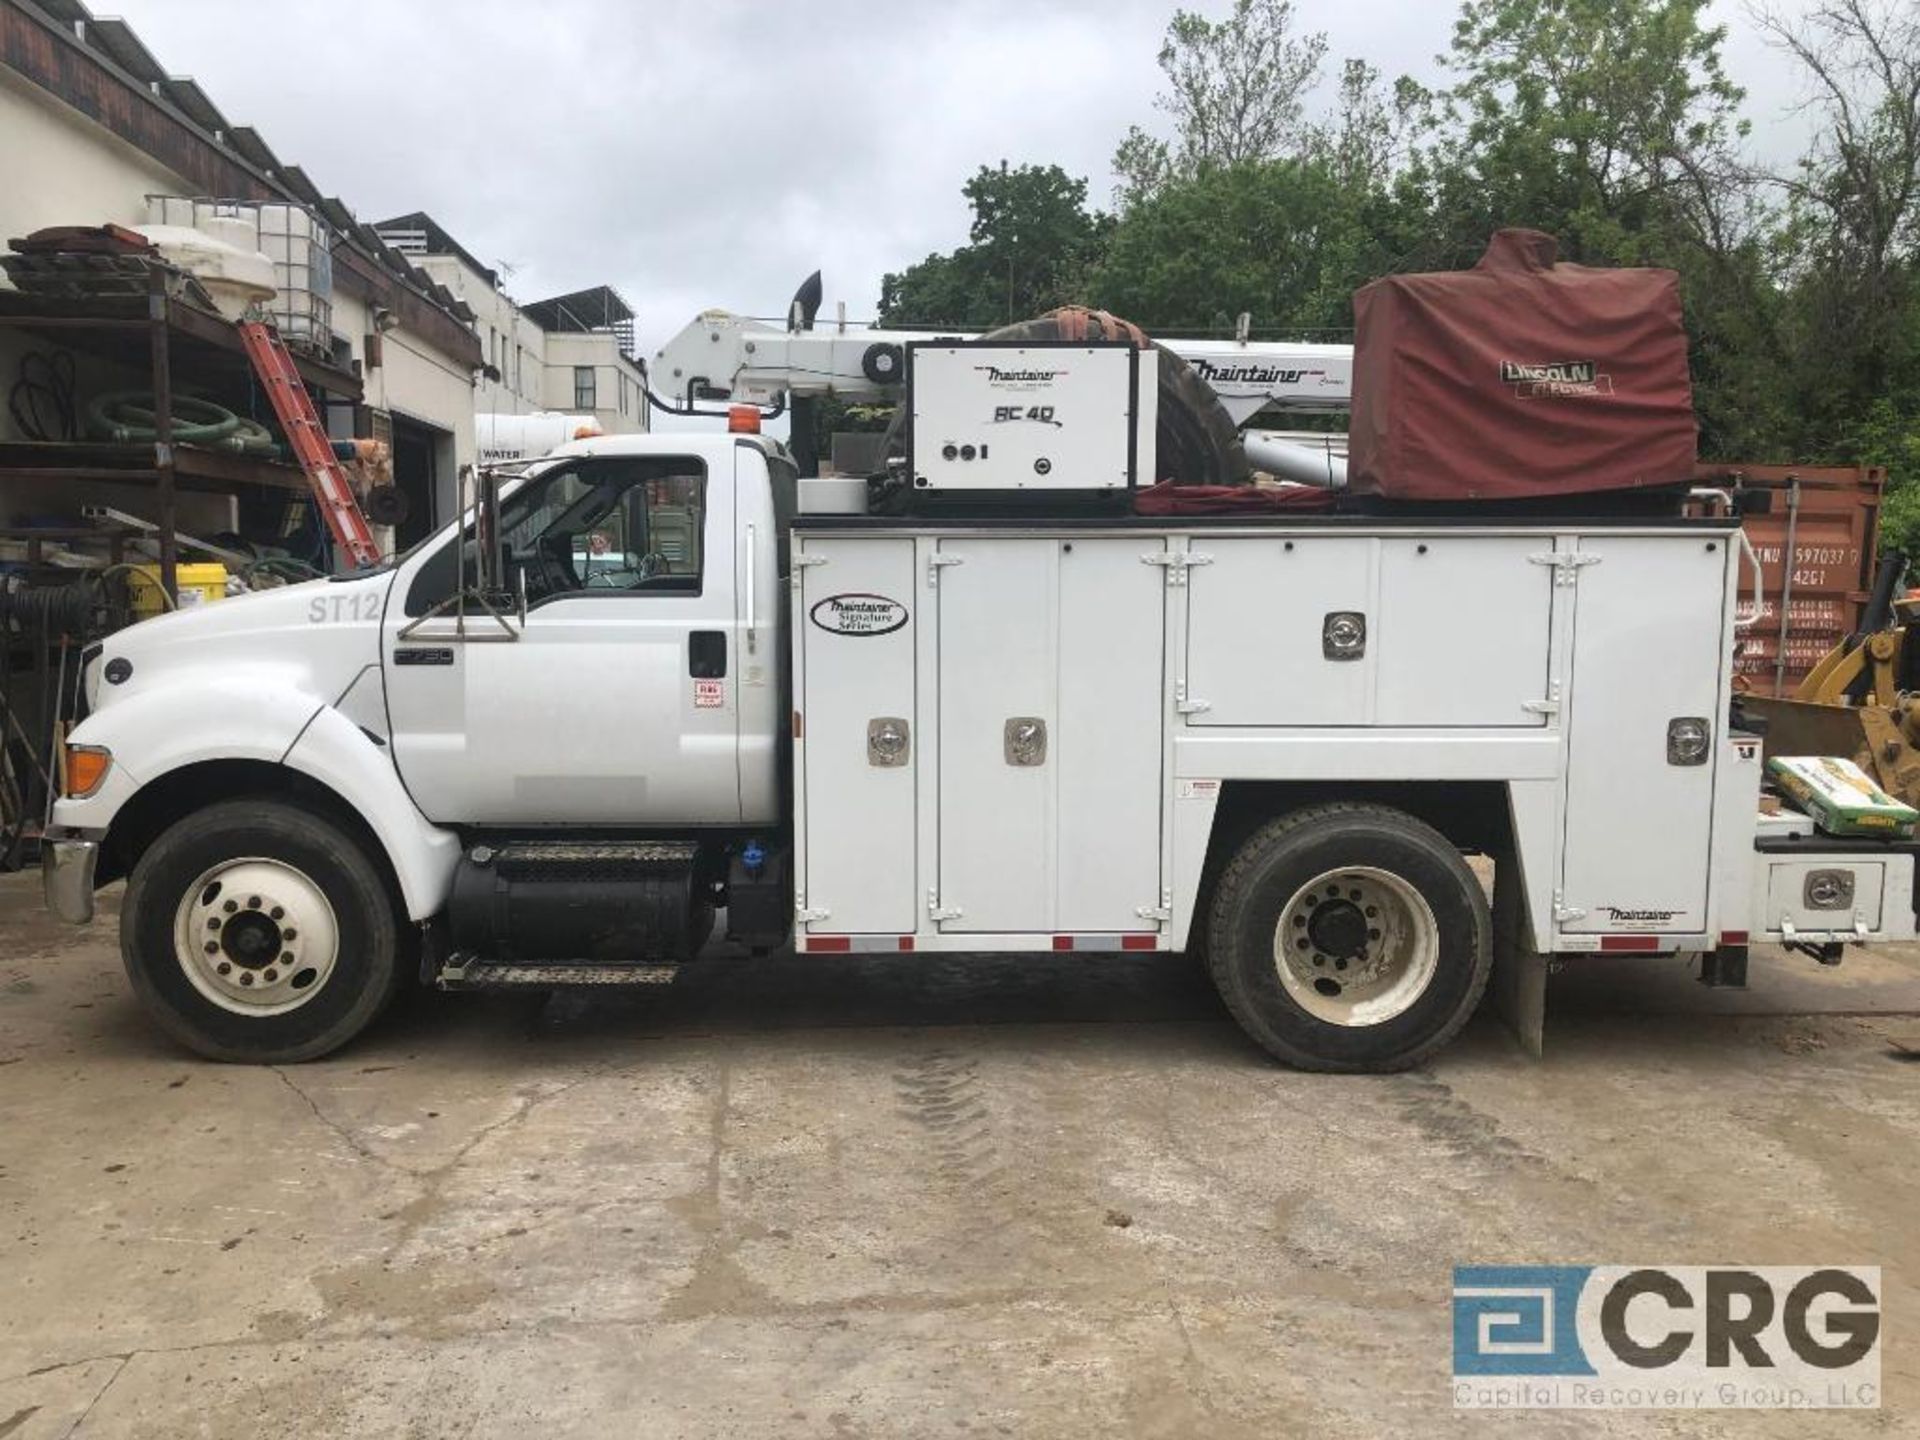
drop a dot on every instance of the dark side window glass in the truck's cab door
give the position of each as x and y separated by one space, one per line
590 529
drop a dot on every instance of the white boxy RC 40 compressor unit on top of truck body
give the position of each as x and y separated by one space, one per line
1038 418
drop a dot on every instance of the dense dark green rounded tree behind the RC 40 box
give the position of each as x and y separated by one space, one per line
1030 249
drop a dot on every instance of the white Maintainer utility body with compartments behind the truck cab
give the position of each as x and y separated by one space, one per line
1168 665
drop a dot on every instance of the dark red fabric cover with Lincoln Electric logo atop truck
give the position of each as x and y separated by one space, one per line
1520 377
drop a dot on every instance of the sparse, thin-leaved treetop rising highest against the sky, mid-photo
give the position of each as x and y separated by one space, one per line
1236 93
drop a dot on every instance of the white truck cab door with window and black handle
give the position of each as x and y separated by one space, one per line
617 704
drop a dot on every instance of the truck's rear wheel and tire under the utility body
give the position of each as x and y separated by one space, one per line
1349 938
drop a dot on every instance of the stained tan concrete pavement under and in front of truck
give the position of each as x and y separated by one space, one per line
907 1197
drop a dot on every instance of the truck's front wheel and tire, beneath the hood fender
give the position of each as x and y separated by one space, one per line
260 932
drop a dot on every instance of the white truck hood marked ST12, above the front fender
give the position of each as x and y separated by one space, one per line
312 638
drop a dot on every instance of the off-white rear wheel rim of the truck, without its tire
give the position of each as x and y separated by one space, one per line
1356 948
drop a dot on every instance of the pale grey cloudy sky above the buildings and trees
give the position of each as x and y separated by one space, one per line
715 153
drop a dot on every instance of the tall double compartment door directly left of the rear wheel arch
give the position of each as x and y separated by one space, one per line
1051 725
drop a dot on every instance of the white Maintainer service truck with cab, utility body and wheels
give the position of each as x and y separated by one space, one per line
642 684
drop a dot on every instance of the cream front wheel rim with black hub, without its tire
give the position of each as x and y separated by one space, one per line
256 938
